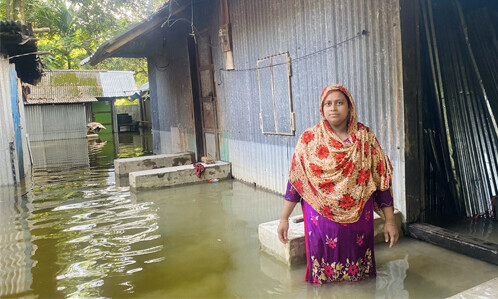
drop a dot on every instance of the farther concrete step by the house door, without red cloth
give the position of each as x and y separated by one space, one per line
123 167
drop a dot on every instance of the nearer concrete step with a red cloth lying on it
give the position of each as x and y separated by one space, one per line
178 175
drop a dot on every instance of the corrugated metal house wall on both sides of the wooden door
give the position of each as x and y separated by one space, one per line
369 65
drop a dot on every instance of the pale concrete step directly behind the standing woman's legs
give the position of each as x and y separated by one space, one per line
294 252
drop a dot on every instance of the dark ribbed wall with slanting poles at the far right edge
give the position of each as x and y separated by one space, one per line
460 127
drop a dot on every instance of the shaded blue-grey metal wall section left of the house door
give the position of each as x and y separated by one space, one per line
171 92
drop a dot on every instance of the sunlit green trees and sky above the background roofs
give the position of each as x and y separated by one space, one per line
78 27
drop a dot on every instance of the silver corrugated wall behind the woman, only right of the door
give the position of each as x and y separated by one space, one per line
370 66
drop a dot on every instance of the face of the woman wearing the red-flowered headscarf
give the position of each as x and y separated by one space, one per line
336 110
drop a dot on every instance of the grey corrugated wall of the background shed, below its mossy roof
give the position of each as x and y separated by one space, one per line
51 122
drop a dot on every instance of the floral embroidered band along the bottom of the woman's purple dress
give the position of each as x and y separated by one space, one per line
323 272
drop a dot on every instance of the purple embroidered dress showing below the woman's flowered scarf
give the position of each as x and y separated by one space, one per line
339 251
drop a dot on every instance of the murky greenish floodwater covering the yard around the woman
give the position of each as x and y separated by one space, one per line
74 233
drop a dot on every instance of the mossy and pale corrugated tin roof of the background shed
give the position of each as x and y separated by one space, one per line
80 86
